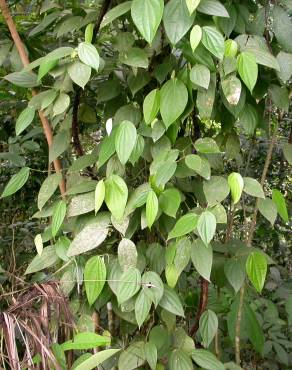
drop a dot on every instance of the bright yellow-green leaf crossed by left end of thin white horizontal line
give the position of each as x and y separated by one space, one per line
94 278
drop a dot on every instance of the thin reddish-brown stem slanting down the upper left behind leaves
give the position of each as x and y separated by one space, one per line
25 61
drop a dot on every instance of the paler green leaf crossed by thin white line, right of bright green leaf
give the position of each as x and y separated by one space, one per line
129 284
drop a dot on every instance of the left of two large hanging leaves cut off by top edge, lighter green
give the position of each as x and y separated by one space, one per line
147 15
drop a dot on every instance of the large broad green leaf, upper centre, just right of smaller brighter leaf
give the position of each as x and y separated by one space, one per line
174 98
